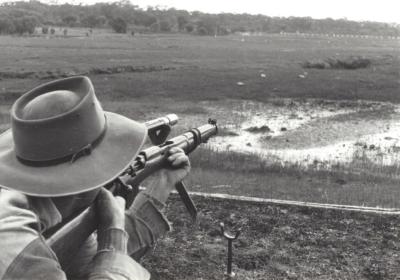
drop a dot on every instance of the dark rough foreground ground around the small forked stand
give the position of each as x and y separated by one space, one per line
277 242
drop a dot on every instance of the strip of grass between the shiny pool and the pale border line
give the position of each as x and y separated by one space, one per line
360 182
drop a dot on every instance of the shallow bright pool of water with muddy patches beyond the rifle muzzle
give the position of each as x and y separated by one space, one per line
312 131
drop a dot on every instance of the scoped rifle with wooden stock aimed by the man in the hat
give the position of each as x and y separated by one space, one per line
79 228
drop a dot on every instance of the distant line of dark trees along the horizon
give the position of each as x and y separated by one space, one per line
23 17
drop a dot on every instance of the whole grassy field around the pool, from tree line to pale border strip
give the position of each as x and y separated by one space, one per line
147 76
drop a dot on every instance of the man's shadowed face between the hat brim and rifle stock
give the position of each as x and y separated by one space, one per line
72 204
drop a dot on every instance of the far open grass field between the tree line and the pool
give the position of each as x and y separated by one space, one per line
207 67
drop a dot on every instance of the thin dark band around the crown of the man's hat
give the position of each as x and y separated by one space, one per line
71 158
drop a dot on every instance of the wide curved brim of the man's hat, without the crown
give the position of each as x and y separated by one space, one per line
121 143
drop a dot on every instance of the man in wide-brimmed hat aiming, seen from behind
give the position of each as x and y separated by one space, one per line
61 150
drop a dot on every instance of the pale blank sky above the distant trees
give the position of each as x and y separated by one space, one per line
360 10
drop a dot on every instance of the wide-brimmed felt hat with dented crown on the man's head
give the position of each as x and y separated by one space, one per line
73 152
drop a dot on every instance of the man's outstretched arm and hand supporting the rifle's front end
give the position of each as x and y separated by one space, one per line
144 221
